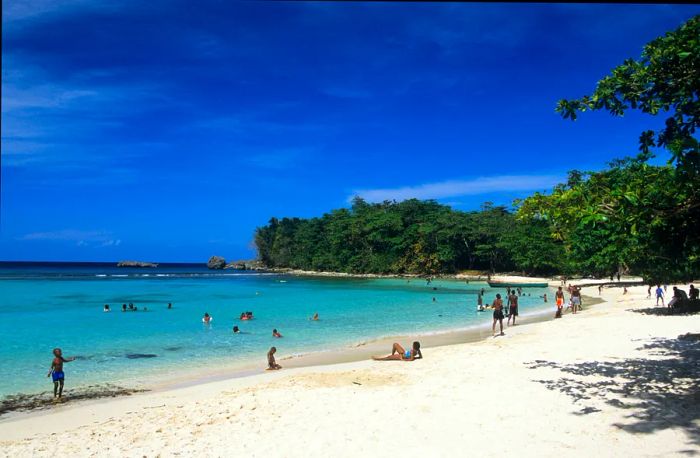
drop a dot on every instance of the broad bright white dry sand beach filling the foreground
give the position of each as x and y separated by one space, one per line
609 381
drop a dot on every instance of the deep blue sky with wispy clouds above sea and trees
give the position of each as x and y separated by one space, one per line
168 131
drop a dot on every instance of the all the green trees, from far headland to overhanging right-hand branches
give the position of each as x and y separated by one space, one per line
633 216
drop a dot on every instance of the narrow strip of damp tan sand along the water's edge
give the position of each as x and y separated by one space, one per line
354 353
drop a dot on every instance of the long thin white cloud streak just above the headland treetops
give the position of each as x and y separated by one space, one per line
455 188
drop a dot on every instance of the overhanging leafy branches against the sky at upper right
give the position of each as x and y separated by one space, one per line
665 80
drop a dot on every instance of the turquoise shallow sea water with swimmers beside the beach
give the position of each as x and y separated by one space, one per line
47 306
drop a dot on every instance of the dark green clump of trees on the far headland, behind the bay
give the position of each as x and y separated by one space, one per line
412 236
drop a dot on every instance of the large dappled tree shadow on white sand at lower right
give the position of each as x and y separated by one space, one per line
660 392
